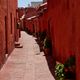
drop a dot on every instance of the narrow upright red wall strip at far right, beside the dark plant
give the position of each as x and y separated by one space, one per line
77 30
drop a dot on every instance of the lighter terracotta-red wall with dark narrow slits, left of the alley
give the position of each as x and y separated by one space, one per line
7 27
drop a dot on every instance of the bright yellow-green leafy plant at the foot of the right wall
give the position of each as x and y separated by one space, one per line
59 71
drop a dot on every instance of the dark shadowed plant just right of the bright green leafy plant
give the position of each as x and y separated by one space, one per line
70 68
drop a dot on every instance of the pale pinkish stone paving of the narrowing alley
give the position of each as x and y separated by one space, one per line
26 63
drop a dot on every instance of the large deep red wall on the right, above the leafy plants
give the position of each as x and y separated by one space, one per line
62 28
